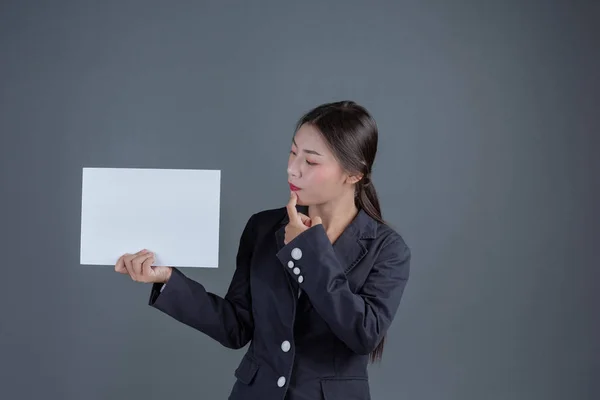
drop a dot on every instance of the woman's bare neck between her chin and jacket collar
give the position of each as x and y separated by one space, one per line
336 214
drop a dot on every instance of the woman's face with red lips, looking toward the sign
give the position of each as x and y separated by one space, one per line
313 168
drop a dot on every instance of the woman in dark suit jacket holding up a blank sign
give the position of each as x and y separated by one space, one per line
317 283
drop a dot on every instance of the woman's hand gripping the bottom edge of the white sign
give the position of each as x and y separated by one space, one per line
140 269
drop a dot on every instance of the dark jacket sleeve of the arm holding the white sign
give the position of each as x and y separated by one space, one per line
228 320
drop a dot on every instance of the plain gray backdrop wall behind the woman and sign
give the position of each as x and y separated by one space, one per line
487 165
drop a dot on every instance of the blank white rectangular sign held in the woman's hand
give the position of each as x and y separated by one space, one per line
172 212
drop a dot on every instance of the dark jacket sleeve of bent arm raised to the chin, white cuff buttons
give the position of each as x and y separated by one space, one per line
359 319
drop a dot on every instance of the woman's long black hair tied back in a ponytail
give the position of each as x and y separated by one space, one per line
351 133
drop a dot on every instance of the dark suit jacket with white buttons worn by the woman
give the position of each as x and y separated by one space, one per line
312 311
